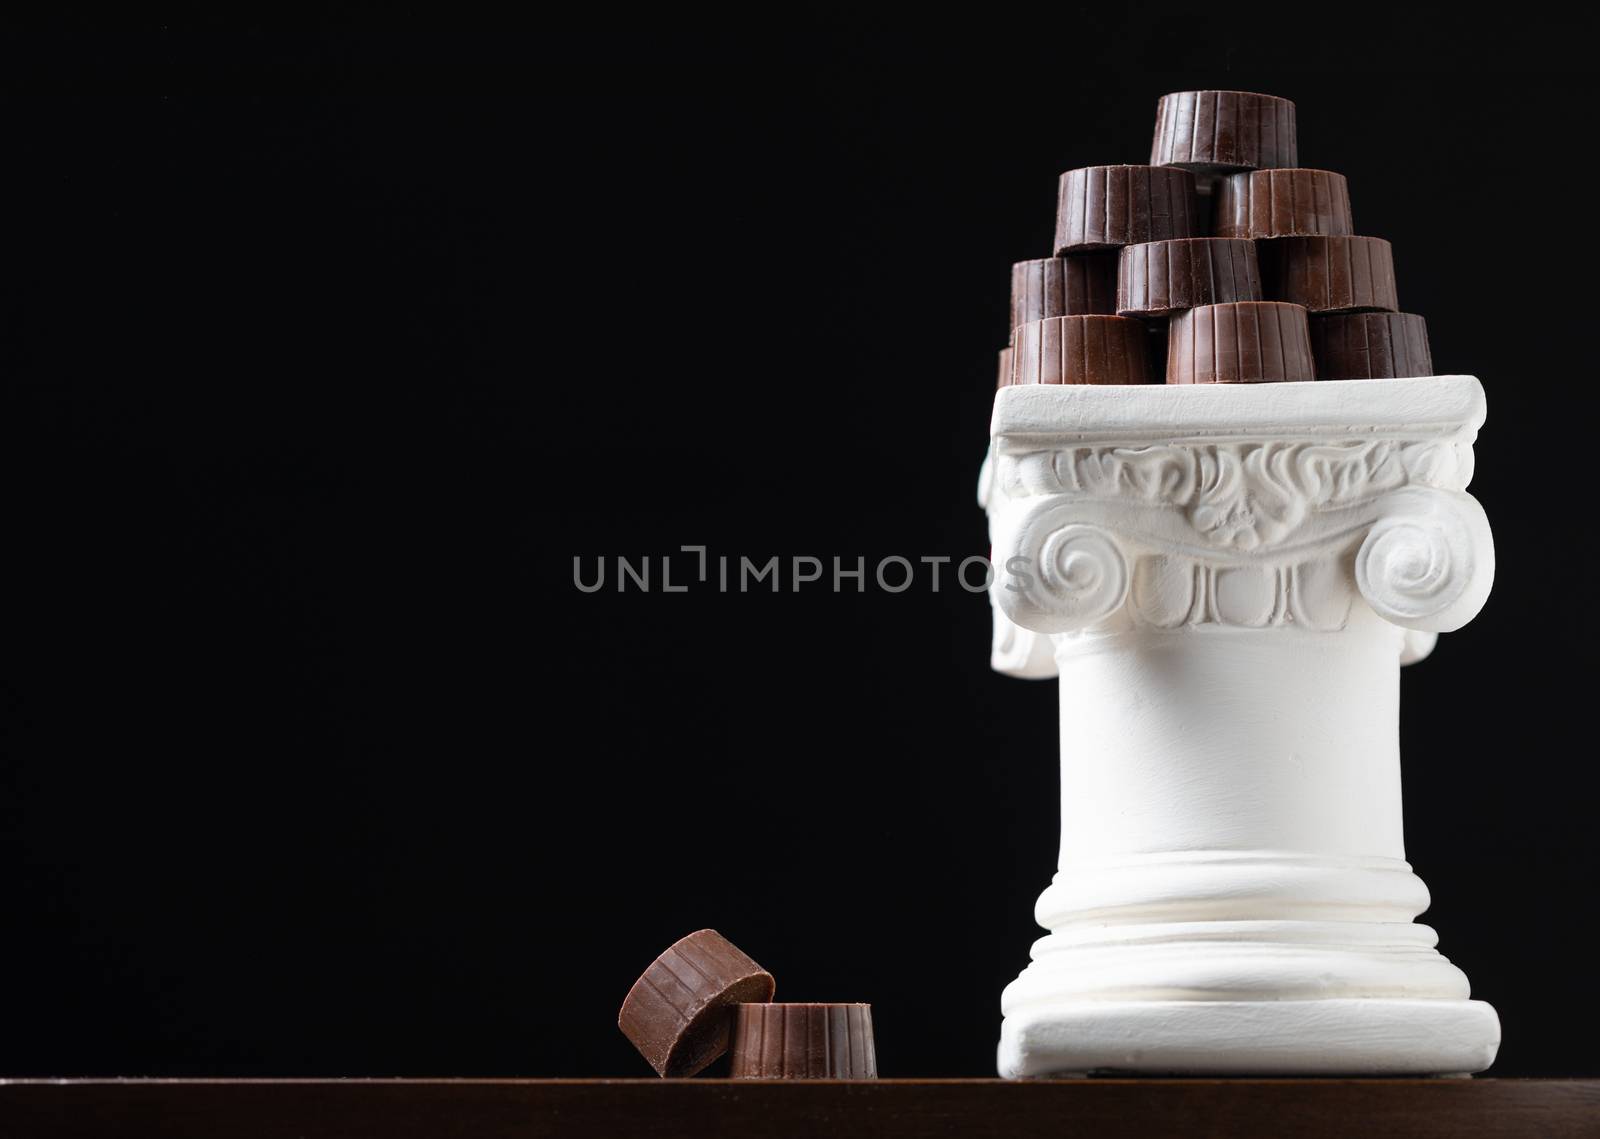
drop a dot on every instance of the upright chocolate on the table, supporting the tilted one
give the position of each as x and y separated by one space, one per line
804 1042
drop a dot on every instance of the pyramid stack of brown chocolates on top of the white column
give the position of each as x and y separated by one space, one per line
1223 258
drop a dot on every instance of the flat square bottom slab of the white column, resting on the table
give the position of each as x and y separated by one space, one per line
1358 1036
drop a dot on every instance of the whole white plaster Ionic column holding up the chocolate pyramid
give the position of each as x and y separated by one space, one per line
1231 580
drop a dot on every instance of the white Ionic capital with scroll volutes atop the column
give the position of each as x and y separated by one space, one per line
1255 506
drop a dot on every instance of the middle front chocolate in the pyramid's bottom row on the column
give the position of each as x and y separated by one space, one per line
1242 343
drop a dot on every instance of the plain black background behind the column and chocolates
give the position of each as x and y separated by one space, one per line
327 350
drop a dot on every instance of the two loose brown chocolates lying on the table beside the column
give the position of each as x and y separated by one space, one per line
705 999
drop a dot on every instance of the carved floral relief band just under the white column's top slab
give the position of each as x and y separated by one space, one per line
1241 495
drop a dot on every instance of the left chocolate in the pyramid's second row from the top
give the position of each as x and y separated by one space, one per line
1110 207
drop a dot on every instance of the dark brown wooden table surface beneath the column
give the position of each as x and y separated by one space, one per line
886 1109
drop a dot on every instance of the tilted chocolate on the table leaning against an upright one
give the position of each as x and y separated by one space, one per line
681 1013
